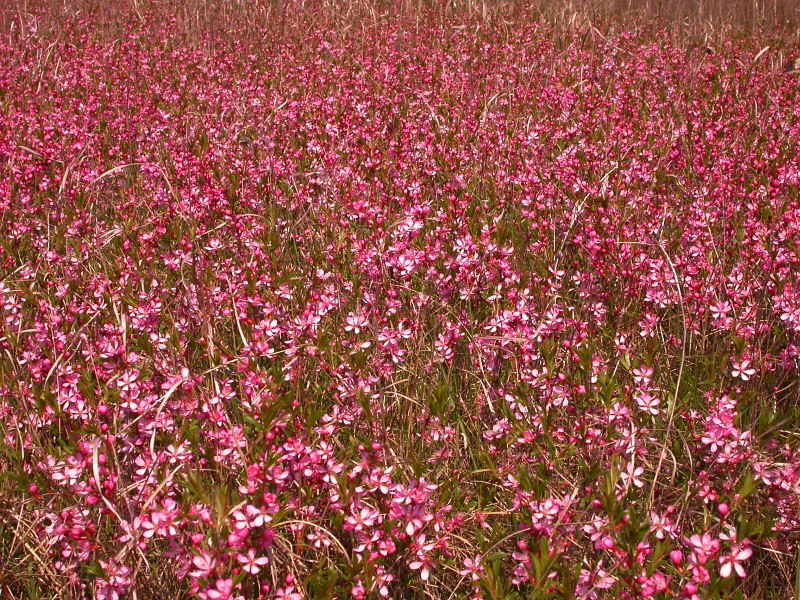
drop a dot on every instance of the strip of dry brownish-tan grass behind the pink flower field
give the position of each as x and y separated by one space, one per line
698 22
